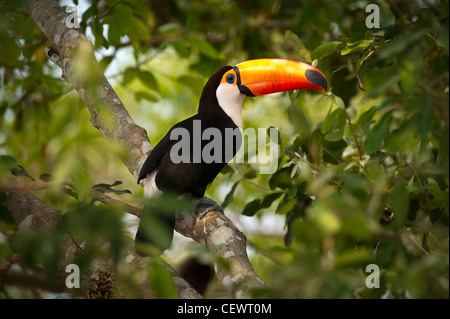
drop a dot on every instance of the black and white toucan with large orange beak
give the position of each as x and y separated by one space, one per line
220 110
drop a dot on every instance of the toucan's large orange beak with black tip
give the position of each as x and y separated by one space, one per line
265 76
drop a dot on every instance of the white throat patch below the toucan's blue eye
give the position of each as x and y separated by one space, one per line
230 100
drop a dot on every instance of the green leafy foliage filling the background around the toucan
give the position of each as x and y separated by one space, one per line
362 173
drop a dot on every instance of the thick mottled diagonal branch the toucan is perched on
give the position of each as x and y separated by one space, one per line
207 224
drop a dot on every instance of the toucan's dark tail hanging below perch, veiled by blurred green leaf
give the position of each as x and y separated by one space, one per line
155 232
